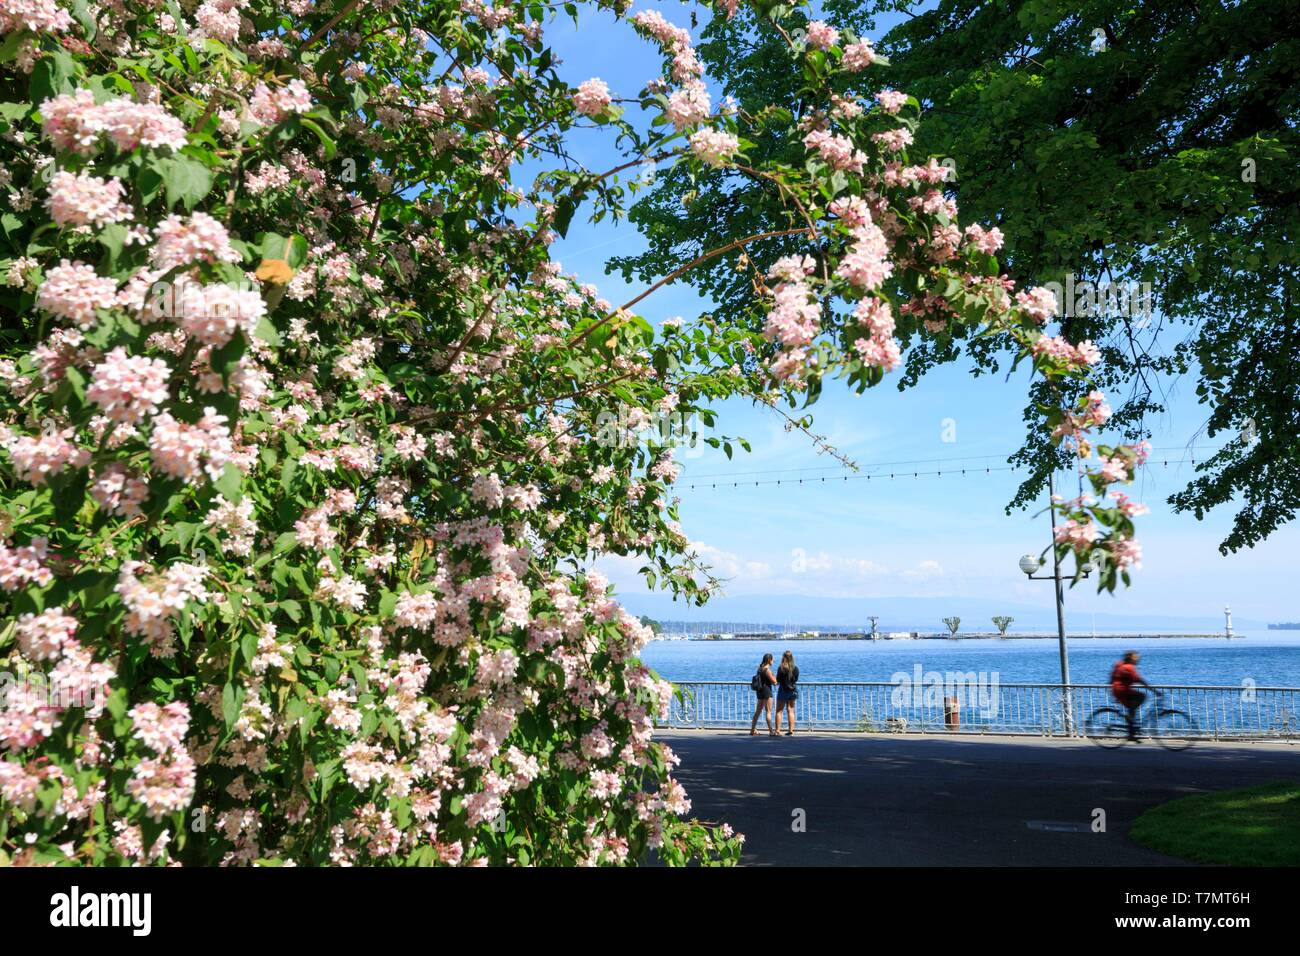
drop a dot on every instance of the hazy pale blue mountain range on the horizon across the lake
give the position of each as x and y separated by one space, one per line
905 615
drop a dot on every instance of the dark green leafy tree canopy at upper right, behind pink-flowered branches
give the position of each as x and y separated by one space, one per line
1113 145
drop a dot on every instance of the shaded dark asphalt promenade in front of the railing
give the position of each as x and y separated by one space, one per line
885 801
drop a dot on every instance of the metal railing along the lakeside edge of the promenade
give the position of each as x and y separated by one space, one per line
976 707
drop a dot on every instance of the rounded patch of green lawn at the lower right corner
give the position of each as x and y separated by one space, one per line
1238 828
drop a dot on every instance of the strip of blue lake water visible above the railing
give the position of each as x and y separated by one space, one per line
1271 659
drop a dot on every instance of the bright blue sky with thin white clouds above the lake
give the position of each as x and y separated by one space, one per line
930 537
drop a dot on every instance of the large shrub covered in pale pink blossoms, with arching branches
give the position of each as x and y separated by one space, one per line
300 469
